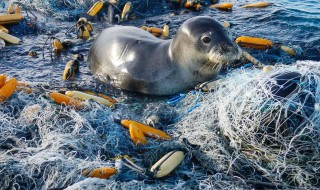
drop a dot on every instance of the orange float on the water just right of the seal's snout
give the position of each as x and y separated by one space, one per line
256 43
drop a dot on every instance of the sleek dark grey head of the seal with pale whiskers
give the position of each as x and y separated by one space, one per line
204 45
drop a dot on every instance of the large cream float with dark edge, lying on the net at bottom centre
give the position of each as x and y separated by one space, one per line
167 164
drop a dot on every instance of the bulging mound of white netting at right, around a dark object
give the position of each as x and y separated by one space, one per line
262 127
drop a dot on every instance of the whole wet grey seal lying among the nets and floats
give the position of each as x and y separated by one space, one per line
133 59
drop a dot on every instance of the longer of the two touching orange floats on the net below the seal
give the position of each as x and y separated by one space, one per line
147 130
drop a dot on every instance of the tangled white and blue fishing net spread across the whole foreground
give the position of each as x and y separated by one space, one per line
237 136
